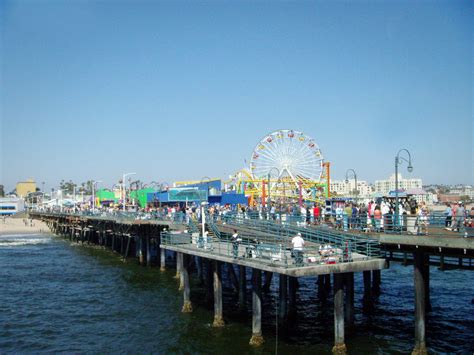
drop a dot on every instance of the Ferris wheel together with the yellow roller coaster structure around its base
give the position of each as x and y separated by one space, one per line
286 166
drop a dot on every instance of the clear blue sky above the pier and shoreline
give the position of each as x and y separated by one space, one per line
180 90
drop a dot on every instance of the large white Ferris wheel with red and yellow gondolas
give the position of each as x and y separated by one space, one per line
287 154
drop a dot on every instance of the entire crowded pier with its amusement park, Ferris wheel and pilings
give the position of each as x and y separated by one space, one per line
278 222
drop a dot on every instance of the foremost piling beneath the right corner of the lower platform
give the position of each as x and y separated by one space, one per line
339 344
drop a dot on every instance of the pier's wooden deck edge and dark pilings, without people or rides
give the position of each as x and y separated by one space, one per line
148 241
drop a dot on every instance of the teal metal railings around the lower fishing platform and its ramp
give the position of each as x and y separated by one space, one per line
266 241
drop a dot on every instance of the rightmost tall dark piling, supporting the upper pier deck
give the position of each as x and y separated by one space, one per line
420 310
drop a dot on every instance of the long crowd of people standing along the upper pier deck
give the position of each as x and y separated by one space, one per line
377 216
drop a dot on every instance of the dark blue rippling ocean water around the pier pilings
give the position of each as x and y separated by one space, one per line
57 296
